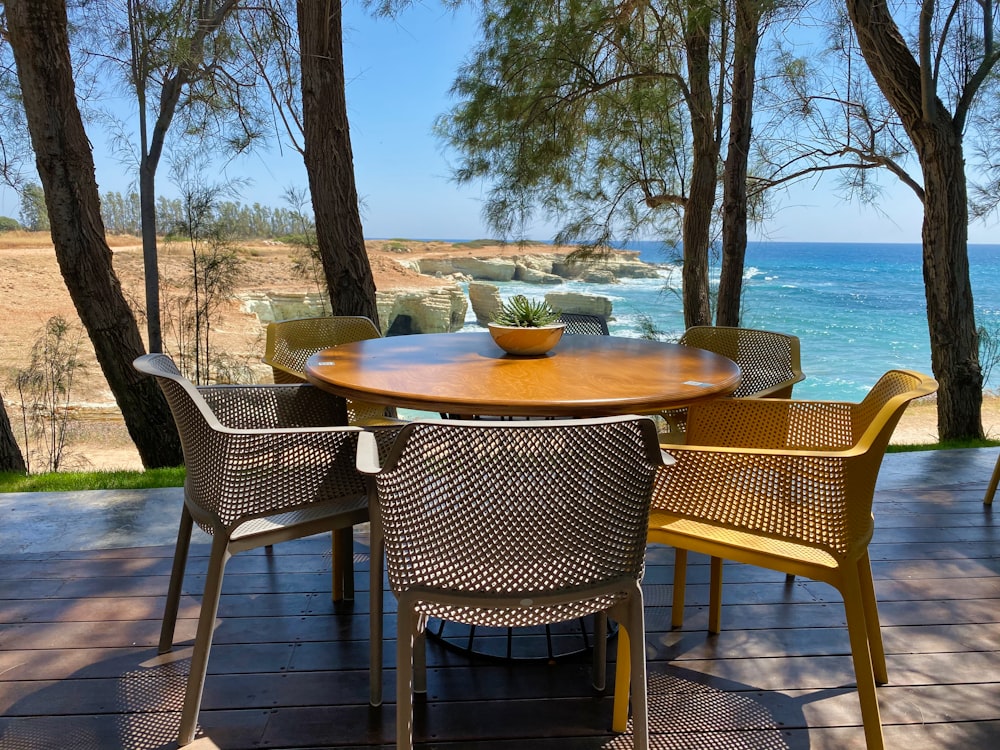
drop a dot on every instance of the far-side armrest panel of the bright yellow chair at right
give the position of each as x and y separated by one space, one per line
785 424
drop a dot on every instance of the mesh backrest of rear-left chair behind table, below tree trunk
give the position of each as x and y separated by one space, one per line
290 343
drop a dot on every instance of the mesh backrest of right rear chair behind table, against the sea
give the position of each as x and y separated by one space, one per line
769 361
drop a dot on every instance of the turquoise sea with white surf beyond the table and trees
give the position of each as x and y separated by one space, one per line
858 309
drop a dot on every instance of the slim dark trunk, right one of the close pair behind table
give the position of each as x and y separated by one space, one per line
734 178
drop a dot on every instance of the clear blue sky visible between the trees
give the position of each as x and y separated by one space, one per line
399 73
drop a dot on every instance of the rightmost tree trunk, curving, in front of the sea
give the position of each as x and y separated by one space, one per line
937 141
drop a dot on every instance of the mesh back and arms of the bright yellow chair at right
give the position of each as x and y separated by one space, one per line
823 453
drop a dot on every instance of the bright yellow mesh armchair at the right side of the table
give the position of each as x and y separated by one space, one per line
788 485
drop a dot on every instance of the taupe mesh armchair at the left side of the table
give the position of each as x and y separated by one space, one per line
262 467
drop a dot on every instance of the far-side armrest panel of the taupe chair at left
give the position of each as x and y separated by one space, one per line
274 406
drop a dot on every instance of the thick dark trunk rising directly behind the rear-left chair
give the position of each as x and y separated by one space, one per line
330 162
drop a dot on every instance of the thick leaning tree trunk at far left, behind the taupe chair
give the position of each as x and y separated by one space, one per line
40 44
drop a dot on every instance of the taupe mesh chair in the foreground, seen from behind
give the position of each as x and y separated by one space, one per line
510 524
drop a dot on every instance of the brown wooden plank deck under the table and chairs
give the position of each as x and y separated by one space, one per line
79 670
